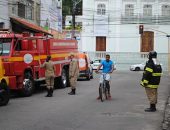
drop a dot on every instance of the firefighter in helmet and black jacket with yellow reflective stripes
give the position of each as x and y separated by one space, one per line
151 79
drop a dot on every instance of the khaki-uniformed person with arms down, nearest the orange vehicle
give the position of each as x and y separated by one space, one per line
73 73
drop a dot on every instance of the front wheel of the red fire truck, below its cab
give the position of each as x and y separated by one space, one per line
28 85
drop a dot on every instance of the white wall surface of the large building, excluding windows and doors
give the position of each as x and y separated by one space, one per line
121 37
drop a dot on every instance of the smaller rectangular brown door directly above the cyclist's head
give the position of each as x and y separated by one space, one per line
100 43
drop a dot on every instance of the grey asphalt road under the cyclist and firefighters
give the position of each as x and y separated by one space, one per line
83 112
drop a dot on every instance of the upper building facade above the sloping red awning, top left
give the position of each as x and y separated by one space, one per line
25 9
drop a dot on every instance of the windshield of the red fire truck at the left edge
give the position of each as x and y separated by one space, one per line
5 44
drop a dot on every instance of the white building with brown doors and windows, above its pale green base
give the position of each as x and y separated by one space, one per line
113 25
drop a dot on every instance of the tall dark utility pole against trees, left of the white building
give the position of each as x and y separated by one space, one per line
75 2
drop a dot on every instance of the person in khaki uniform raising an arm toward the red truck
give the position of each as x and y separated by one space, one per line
49 75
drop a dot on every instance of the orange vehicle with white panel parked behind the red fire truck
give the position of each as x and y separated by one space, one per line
85 68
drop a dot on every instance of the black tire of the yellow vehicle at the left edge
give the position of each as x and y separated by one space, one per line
4 94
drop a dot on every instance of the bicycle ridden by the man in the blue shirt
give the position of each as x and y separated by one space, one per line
103 88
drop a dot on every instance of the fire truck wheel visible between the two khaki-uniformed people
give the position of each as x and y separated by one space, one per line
63 79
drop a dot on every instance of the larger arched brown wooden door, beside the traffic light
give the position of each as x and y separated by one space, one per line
147 41
